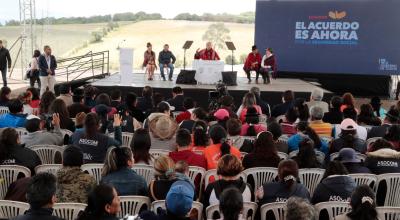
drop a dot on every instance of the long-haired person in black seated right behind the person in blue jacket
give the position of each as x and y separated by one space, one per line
307 157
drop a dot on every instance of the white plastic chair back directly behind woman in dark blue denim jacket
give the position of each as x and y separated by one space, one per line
131 205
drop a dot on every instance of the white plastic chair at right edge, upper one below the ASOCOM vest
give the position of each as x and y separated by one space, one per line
392 180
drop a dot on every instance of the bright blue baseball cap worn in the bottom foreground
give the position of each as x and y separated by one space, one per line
180 198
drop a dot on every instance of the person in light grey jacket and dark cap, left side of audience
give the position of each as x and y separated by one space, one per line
38 134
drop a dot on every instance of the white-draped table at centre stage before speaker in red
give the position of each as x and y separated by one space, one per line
208 71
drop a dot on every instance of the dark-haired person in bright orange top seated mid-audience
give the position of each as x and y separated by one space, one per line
219 148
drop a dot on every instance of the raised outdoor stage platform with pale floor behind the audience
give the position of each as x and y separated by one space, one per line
271 92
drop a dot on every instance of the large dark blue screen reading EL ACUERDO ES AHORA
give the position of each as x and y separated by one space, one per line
348 37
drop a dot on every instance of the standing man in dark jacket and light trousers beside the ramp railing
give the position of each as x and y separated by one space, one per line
47 67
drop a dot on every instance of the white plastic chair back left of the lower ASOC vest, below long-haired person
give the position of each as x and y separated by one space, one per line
310 178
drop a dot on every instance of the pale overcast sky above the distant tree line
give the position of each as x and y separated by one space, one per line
9 9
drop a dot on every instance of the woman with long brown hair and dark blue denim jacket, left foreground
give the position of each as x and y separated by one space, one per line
118 172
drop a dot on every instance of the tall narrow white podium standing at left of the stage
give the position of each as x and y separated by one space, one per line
126 66
